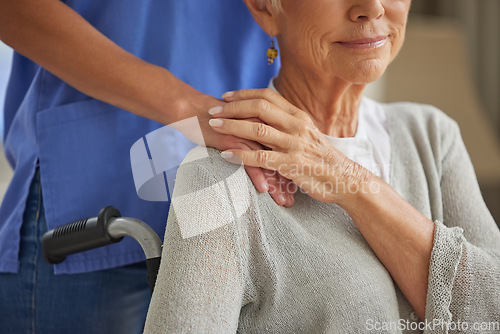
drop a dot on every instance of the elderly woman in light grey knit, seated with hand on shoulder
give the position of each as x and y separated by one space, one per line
388 231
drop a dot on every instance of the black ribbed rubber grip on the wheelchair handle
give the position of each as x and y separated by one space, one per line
79 236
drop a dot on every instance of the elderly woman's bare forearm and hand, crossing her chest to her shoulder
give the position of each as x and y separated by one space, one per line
401 237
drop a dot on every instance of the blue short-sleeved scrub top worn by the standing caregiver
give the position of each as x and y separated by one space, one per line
83 145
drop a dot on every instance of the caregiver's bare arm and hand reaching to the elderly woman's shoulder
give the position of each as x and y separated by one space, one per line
125 80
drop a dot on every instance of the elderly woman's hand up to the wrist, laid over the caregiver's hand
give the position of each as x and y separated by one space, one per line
299 152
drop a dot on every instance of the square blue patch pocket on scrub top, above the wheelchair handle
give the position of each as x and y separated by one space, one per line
84 152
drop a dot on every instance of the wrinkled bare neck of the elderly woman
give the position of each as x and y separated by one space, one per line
332 104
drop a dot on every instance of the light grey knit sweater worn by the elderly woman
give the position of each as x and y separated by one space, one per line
234 261
